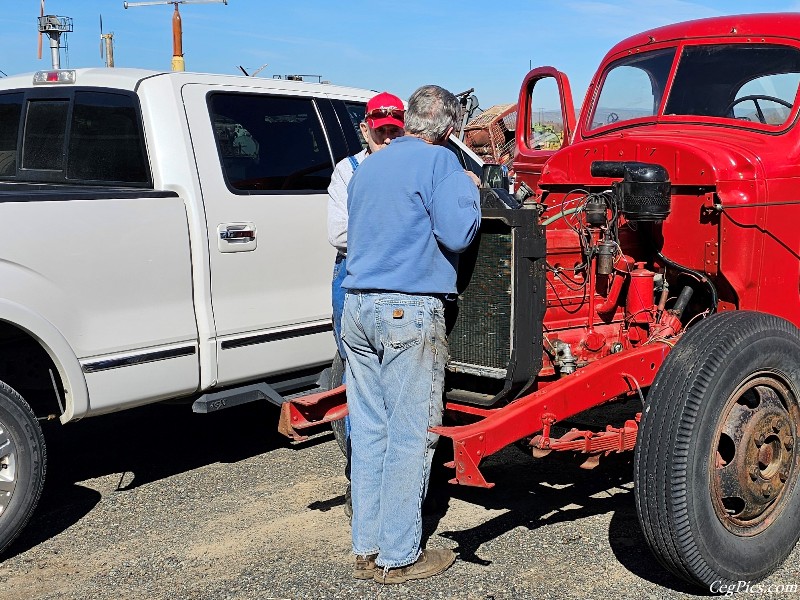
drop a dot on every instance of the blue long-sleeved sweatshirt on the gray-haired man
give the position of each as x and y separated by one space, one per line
411 211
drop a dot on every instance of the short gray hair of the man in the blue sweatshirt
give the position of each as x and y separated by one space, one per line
431 111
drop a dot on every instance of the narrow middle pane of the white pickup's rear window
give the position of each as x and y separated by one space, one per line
45 128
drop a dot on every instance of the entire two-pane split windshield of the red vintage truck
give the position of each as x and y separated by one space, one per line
747 82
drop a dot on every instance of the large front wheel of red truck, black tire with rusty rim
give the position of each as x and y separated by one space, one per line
716 459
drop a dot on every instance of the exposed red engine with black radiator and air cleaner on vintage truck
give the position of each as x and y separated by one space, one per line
551 287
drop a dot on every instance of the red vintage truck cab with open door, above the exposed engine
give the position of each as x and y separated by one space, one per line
714 102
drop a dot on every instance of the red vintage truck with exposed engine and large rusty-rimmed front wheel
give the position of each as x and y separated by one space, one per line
655 269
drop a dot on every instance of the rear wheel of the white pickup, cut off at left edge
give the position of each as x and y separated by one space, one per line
23 462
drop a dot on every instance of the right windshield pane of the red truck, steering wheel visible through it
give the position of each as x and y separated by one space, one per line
751 82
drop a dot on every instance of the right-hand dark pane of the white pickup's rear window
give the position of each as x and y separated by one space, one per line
105 142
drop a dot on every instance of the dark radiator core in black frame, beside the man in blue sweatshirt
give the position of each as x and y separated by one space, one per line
480 341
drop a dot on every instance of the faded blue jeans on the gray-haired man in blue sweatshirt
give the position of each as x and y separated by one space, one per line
396 351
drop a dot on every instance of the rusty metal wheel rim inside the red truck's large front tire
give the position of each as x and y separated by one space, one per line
754 462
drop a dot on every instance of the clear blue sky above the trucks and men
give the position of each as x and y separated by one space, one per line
396 45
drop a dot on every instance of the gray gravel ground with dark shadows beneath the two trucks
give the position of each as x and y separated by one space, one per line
161 503
